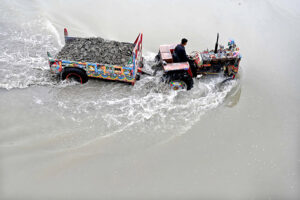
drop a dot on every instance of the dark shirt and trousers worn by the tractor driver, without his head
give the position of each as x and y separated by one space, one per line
179 55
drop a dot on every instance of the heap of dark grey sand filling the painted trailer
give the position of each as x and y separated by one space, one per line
96 50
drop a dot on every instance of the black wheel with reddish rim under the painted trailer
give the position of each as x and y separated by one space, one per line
75 74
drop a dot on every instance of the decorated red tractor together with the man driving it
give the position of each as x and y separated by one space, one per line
179 69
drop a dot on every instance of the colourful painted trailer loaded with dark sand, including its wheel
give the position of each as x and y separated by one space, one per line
84 58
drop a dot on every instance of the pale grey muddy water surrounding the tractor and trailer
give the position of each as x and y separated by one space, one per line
109 140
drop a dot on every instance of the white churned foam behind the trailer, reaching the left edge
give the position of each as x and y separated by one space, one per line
23 46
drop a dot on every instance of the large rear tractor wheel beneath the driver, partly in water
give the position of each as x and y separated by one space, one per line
180 80
